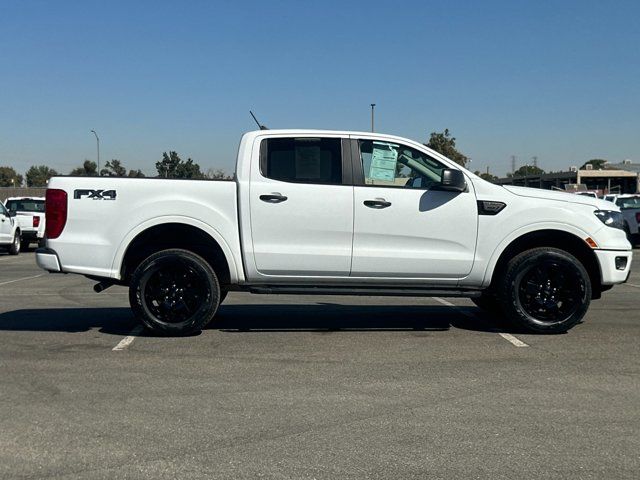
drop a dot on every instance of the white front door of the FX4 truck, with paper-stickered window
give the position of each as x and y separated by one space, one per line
403 226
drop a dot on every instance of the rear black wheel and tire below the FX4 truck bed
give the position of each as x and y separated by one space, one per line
174 292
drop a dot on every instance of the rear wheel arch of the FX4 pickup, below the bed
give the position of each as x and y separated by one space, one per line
182 233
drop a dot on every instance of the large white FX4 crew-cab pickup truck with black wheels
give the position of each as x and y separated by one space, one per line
333 212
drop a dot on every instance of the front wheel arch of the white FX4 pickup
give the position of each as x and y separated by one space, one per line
548 237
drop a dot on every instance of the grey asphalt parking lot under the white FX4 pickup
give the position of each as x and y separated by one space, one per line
311 387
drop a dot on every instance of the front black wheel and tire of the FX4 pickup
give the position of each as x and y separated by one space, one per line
545 290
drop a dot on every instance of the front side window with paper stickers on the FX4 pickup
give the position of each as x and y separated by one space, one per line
393 165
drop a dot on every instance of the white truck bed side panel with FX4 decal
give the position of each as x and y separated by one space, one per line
108 212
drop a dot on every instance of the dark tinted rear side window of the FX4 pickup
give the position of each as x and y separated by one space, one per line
302 160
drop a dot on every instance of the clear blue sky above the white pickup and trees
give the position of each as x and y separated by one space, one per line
558 80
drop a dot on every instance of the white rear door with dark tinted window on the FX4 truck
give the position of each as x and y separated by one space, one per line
301 206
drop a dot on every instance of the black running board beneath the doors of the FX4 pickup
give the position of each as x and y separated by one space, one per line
366 291
